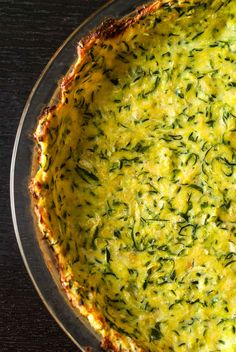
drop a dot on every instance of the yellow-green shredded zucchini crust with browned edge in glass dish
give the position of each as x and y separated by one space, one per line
135 188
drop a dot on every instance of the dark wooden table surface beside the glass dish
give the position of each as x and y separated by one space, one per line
30 32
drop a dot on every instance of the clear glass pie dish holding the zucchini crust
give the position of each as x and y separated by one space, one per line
36 254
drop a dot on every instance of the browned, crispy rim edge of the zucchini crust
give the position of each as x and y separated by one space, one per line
108 29
